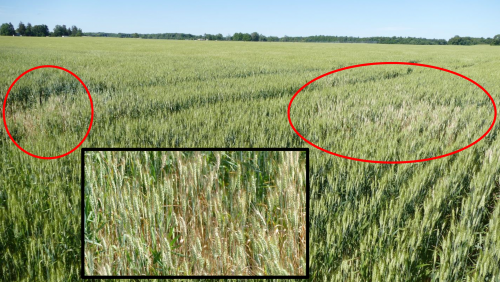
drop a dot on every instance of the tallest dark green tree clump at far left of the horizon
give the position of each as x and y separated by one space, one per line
42 30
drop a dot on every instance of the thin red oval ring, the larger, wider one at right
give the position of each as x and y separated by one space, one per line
393 63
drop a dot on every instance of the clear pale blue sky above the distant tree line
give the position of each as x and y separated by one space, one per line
430 19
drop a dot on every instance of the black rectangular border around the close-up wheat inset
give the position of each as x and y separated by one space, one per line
82 182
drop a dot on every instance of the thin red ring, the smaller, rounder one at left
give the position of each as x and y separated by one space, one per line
91 106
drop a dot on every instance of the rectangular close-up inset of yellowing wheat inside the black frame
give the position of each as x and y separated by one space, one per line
190 213
